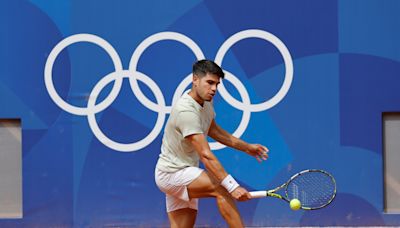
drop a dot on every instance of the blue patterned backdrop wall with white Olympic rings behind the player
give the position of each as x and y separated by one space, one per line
345 56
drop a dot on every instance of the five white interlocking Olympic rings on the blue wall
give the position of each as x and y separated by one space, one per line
160 107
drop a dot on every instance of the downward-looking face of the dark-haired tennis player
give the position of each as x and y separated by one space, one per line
206 87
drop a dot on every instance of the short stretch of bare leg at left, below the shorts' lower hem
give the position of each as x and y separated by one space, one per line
185 217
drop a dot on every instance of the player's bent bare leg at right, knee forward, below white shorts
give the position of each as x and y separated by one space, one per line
206 186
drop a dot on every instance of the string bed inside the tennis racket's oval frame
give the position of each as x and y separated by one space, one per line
313 189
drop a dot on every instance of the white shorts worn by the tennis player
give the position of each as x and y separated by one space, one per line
174 185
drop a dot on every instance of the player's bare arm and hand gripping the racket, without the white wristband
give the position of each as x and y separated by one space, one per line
213 166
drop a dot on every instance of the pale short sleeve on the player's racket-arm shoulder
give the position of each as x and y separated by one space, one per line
189 123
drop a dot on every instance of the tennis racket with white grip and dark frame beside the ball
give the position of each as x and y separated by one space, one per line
315 189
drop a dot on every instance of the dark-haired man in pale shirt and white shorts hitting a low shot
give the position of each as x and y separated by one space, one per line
185 142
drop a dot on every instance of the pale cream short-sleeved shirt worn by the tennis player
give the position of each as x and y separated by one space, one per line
187 118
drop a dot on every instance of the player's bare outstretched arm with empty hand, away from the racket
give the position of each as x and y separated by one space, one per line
258 151
